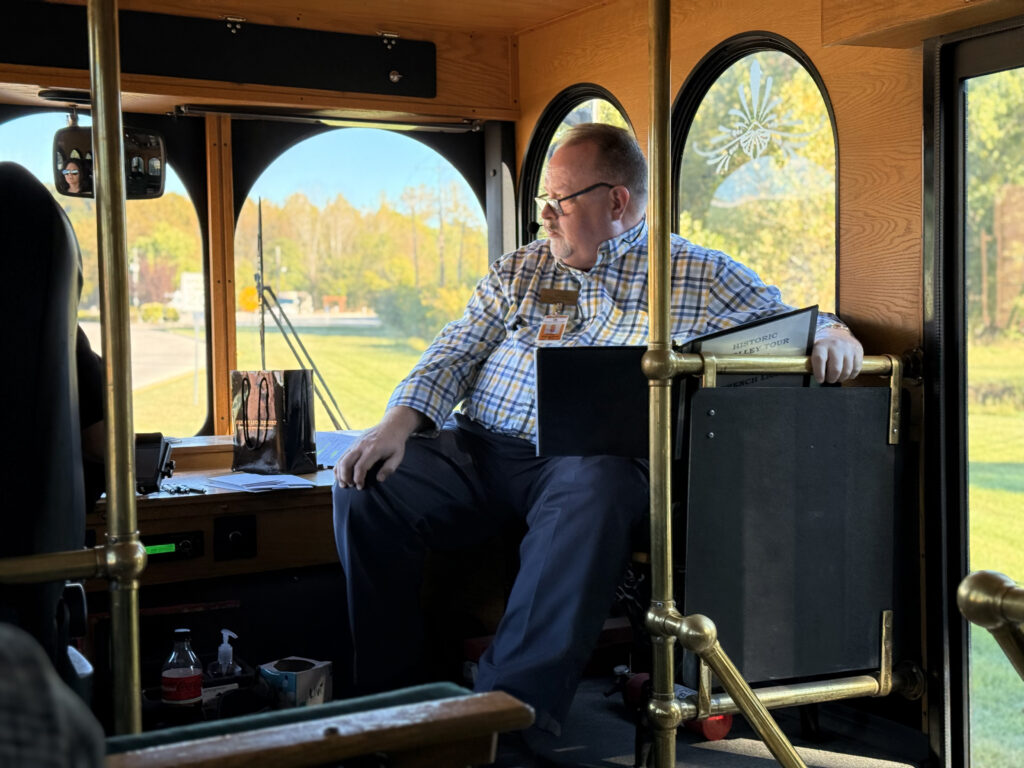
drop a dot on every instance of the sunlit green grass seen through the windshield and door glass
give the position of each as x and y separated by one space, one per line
362 369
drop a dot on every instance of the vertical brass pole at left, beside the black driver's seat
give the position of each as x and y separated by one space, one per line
109 184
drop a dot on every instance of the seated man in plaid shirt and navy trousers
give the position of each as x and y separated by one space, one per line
423 479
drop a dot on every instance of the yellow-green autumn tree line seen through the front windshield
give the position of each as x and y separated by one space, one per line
412 262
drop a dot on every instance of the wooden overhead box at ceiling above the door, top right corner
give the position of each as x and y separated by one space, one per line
905 24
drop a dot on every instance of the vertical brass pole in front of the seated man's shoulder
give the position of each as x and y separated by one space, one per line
664 712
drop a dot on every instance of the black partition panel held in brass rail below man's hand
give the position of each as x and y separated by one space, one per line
792 497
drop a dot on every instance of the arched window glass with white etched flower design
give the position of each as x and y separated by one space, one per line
758 177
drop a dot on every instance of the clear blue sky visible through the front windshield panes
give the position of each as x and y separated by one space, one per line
362 164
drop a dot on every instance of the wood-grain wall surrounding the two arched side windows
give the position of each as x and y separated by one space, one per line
877 98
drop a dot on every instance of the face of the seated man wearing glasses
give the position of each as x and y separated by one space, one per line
588 221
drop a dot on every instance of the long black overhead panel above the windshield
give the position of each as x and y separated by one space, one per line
46 35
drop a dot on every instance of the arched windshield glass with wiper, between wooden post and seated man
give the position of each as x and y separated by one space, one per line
369 255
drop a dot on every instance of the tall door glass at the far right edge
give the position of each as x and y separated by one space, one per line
994 247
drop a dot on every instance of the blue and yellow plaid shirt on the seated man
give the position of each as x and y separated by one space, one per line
486 359
